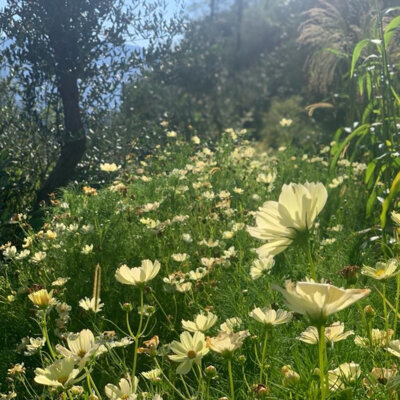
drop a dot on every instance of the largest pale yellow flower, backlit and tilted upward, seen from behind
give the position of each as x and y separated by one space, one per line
278 223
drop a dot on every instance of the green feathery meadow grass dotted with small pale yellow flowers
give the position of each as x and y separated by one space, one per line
191 183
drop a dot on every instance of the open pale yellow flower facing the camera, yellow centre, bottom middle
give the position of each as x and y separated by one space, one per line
190 349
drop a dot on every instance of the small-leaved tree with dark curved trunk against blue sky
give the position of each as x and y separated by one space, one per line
77 47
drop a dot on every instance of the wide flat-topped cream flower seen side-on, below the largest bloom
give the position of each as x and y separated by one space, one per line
319 300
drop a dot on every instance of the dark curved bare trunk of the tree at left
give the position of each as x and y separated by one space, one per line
73 145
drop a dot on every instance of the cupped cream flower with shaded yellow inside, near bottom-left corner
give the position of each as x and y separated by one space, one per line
61 373
